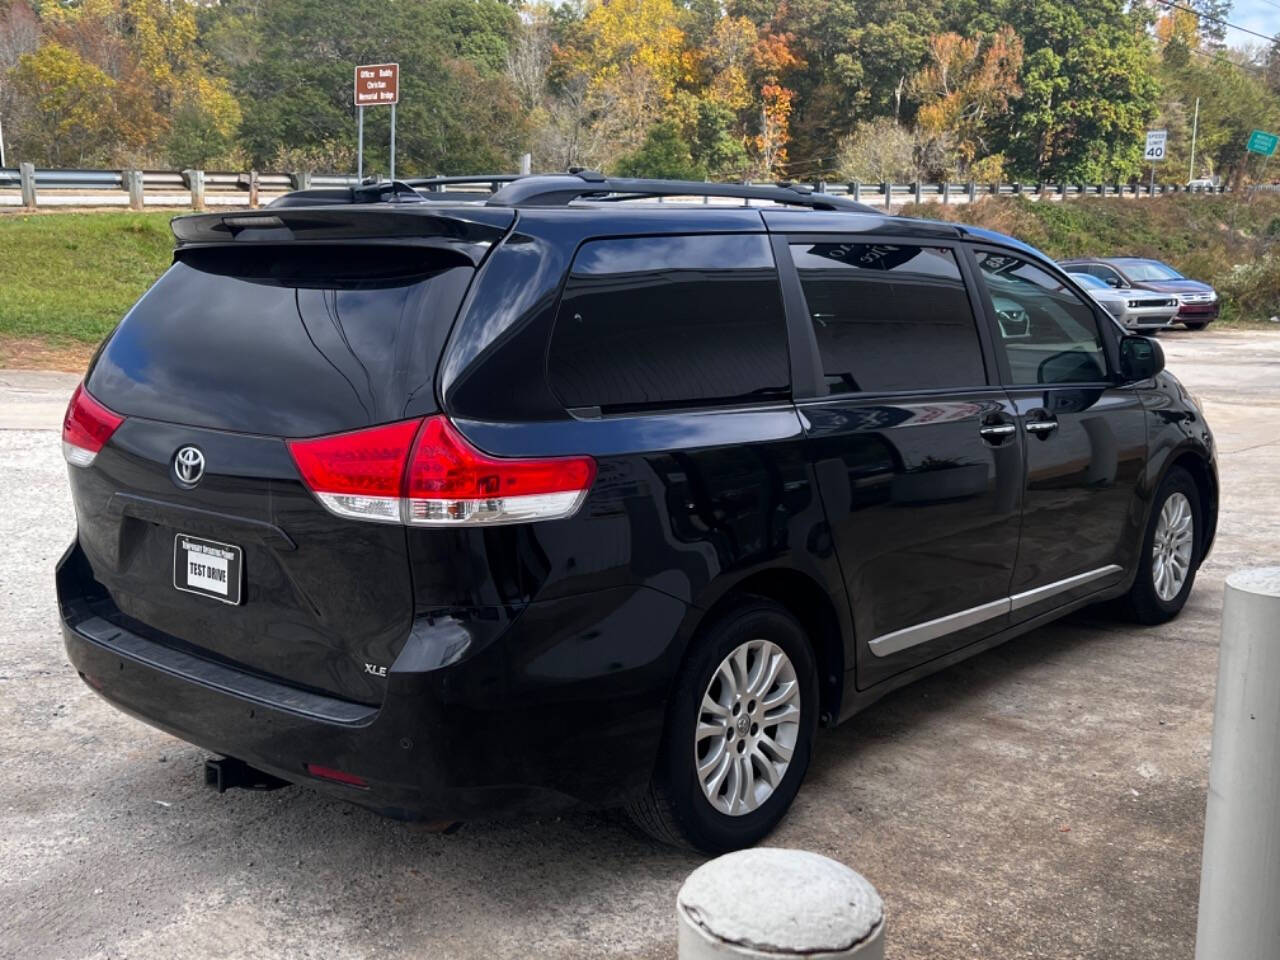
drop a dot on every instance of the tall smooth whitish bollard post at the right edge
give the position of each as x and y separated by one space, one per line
1241 872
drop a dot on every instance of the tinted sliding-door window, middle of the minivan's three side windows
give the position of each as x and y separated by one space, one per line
890 317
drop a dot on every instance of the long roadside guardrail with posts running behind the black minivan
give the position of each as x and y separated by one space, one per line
28 186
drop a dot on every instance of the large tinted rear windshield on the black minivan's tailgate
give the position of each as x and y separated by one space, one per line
286 342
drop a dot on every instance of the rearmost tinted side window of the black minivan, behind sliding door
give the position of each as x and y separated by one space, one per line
660 322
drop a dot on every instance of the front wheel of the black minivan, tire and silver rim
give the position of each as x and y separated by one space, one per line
1171 551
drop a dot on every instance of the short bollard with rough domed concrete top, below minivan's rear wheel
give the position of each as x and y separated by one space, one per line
771 903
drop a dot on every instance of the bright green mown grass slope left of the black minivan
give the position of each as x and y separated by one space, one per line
66 281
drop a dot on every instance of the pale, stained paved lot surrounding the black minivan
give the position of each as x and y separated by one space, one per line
1043 801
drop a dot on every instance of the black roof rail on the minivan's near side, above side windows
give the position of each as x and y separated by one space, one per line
560 190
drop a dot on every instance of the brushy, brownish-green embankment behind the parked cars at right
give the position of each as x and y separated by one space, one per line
1231 243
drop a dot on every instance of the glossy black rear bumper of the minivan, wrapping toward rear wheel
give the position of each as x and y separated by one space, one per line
523 726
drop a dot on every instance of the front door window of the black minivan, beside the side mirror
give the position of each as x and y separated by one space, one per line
1048 332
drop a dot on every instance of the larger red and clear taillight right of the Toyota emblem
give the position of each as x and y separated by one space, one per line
424 473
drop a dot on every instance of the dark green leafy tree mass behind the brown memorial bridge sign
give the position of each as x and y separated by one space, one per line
458 113
